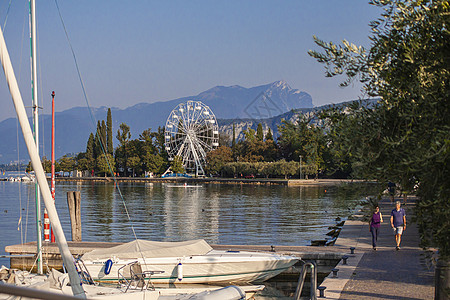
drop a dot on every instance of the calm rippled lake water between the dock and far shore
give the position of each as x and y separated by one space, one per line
220 214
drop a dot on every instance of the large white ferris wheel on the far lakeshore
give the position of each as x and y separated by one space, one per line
191 132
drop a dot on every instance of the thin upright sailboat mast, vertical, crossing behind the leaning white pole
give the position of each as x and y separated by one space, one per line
36 129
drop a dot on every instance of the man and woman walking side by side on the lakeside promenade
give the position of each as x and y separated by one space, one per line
398 223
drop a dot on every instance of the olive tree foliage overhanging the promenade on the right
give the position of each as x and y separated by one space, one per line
406 137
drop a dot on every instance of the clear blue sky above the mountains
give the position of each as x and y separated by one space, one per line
146 51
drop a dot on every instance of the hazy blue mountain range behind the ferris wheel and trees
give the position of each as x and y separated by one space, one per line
230 103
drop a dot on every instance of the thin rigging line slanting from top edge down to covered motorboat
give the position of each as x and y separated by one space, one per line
94 122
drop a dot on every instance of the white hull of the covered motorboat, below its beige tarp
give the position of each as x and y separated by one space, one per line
214 267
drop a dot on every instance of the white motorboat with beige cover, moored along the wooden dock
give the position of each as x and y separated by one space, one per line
185 262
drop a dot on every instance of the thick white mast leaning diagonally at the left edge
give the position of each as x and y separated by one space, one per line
67 257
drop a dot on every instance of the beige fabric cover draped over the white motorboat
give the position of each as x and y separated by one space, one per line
148 249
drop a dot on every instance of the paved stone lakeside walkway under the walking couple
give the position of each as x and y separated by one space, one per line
385 273
